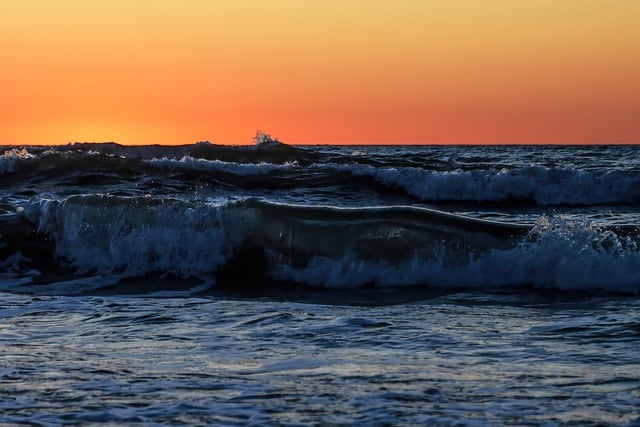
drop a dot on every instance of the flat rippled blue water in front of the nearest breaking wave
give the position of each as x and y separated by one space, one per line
451 359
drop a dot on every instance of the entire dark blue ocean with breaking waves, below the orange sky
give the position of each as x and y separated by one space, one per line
319 285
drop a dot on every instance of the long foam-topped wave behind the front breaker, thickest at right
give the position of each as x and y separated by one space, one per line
533 184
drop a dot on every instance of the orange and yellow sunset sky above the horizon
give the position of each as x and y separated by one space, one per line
330 71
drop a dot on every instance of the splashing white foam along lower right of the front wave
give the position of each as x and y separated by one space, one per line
558 254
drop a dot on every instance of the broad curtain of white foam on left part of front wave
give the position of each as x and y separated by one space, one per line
134 237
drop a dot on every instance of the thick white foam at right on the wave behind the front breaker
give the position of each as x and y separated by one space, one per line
545 186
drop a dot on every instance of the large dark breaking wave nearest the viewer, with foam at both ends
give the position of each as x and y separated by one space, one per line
82 244
